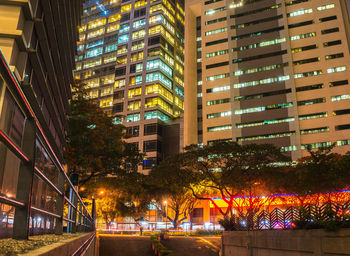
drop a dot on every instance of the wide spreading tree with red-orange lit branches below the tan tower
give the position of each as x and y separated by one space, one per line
241 175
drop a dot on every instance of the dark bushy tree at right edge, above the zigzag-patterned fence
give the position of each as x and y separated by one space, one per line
317 175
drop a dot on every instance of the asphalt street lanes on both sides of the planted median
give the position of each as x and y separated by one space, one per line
136 246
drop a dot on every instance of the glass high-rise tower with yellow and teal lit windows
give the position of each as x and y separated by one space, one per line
131 56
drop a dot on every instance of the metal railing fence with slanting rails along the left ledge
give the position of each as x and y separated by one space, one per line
36 196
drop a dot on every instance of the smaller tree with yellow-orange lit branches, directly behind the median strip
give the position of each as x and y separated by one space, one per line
168 181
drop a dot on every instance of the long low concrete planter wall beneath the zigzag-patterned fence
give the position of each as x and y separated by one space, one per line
285 242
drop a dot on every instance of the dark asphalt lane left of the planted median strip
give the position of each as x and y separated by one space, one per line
125 246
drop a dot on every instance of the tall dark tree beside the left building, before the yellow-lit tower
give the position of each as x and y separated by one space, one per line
95 143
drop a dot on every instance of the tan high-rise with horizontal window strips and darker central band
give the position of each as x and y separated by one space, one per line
268 71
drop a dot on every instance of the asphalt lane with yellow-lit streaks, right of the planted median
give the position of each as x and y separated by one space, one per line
194 246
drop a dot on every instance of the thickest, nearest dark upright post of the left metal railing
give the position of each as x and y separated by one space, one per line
25 182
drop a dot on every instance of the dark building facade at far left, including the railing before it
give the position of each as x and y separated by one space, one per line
37 49
